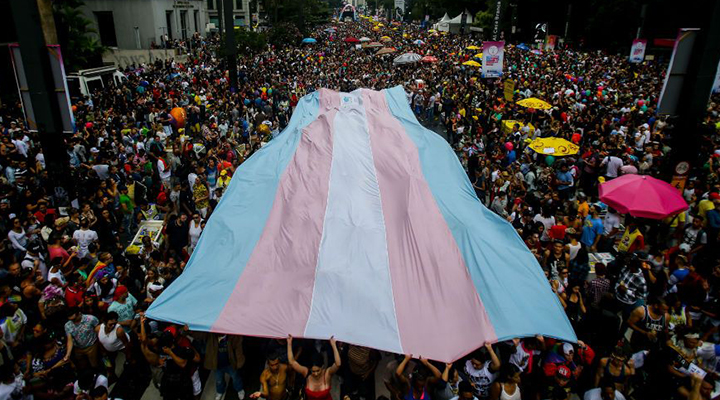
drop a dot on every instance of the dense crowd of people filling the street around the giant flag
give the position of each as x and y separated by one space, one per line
73 290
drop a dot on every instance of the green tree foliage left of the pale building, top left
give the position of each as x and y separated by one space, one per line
80 50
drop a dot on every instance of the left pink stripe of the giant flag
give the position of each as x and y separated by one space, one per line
273 295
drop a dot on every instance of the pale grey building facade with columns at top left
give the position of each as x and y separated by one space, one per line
138 24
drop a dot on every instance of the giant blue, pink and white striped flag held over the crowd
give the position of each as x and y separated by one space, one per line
357 222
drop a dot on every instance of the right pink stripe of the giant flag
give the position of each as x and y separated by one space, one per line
438 309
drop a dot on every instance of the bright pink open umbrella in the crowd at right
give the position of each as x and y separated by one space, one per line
642 196
